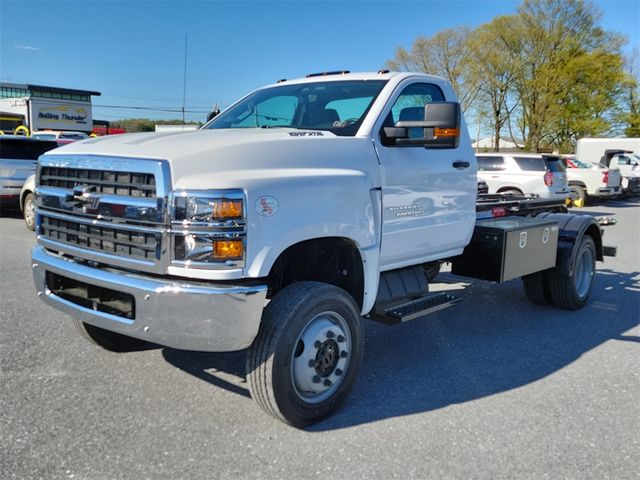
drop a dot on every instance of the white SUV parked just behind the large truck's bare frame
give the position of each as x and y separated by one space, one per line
524 173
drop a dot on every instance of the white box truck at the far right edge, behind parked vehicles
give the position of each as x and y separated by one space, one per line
616 153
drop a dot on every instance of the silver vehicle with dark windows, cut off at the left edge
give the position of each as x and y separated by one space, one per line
18 158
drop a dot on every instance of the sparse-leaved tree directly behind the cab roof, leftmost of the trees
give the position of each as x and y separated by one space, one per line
445 54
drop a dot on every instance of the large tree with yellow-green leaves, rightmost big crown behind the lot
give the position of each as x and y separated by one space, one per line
565 70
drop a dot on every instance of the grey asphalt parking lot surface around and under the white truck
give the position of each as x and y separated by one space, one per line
492 388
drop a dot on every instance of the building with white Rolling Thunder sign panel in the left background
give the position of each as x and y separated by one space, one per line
45 108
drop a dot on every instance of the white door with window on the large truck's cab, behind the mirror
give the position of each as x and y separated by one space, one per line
428 195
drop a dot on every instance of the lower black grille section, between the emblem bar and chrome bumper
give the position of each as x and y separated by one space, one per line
121 241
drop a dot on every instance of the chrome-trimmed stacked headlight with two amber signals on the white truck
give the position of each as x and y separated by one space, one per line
209 227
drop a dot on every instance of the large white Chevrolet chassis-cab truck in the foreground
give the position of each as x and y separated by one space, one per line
301 209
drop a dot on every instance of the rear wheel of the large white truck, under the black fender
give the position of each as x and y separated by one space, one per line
573 291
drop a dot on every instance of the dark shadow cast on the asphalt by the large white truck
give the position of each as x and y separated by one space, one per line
492 342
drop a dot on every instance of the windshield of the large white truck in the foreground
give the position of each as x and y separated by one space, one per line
339 107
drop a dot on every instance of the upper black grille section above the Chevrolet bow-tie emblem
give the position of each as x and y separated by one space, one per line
103 181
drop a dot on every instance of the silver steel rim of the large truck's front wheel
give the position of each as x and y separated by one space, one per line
321 357
